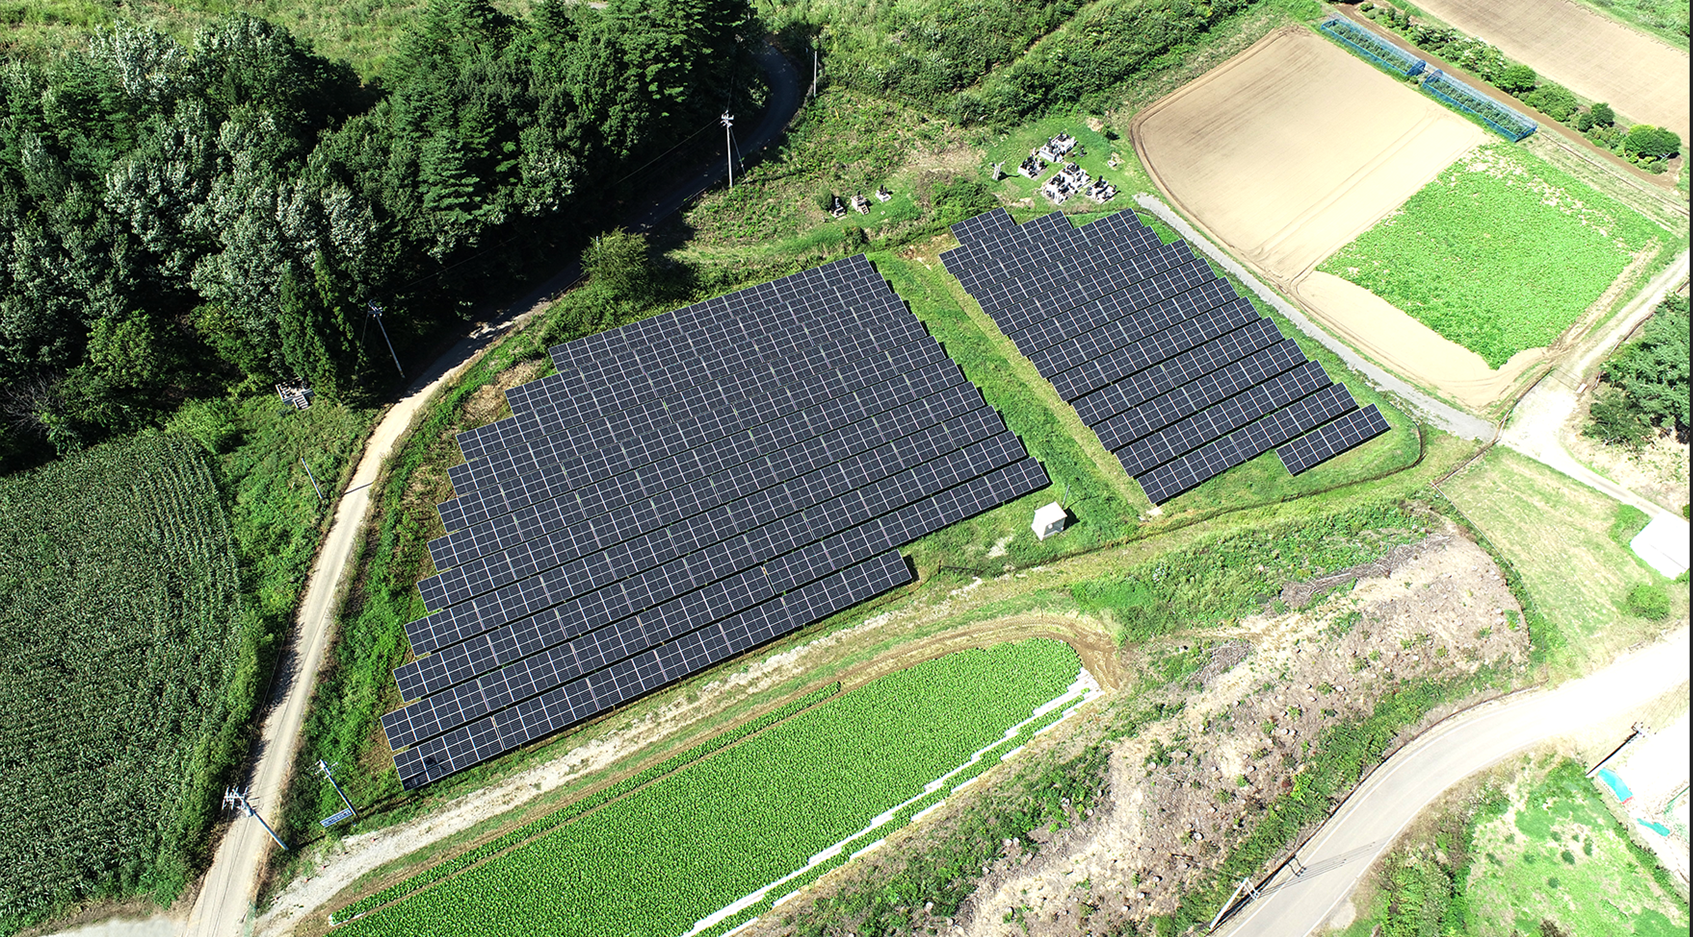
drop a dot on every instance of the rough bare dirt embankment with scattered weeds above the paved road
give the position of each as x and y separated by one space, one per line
1191 787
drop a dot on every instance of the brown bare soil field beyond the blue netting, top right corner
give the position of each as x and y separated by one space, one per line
1596 57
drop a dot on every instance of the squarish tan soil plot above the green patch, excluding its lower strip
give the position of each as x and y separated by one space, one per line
1294 148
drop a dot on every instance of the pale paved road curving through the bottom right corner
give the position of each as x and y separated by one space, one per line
1293 906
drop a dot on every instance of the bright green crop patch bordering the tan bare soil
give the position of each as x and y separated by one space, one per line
1501 253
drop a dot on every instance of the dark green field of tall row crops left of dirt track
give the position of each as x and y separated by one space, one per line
128 674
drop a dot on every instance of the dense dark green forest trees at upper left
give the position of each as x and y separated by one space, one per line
187 219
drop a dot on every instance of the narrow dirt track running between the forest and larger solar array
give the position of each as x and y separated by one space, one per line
228 894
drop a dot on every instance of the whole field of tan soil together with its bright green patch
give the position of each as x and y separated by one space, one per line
1387 218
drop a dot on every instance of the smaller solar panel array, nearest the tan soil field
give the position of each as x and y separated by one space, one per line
1179 375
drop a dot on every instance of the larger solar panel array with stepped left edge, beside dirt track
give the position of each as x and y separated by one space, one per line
681 491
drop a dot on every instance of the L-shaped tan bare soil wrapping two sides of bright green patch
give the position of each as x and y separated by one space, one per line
1288 153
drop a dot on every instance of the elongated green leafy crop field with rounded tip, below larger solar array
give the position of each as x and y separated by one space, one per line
695 841
